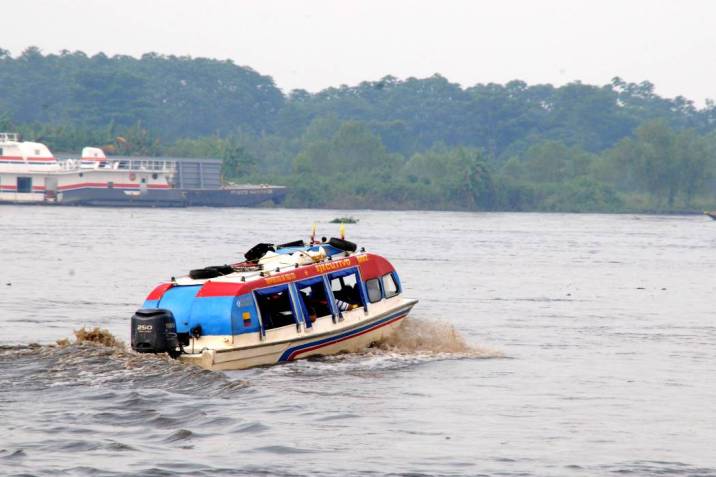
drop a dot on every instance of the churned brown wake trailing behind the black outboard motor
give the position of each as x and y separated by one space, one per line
98 359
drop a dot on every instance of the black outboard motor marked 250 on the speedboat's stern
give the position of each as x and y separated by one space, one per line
154 330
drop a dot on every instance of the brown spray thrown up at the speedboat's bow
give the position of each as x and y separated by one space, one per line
420 336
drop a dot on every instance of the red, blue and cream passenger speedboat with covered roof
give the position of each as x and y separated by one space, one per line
284 302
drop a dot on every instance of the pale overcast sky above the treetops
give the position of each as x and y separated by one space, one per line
315 44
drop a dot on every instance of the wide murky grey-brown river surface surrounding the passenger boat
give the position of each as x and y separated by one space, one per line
543 344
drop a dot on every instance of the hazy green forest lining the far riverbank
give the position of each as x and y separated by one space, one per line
417 143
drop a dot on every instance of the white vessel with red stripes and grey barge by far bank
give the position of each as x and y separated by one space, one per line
31 174
